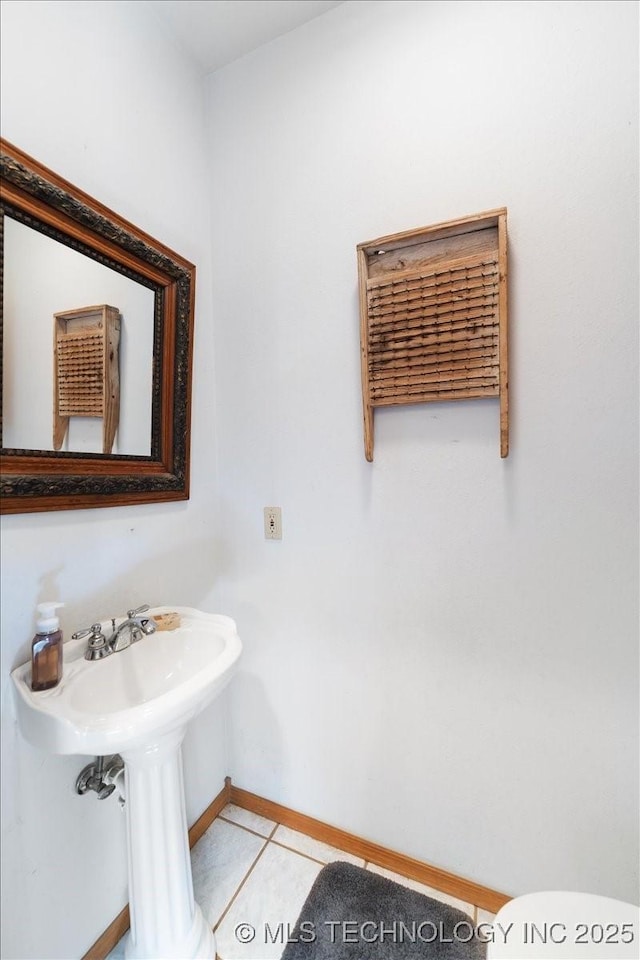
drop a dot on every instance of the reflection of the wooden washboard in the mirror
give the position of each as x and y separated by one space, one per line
86 376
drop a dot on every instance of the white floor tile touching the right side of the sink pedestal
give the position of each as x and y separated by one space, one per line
219 861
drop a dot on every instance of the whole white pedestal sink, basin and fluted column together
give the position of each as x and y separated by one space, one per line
138 702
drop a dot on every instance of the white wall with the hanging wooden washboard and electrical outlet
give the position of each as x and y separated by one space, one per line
441 654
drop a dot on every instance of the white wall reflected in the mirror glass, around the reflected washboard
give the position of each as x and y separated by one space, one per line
65 280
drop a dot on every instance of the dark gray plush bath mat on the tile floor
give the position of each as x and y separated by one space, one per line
354 914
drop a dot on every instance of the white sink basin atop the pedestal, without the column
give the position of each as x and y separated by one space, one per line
116 704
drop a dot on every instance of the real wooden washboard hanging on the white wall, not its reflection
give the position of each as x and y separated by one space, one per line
433 317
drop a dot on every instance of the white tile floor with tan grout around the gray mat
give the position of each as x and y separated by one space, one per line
251 871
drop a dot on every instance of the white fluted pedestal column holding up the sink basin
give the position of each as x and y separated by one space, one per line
165 920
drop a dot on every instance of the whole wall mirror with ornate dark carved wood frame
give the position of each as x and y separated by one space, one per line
65 254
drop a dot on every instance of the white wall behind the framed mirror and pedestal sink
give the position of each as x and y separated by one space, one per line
99 94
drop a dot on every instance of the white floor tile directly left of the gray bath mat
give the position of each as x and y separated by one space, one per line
269 904
